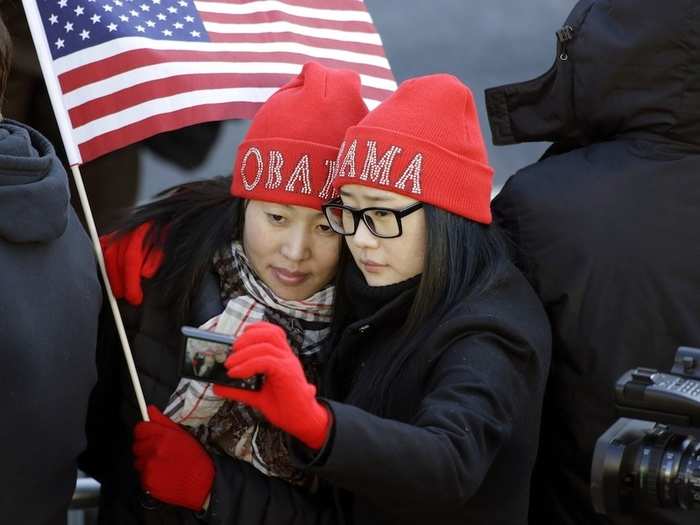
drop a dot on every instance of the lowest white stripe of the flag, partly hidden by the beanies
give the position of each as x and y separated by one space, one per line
173 103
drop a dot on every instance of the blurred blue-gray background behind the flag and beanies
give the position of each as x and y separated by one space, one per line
483 42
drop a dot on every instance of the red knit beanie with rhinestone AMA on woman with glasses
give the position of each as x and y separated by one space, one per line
425 142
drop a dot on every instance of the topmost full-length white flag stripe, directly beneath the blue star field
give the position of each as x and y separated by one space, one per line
109 49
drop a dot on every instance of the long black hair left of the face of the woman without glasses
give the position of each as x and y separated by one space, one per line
190 223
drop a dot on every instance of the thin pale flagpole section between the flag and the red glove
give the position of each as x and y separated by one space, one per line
110 295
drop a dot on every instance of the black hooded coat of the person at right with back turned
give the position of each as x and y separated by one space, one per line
607 221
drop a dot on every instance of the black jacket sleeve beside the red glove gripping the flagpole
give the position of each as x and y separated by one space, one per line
241 495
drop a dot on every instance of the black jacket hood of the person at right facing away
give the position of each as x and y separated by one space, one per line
623 68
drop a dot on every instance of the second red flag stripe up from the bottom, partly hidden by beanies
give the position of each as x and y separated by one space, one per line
125 98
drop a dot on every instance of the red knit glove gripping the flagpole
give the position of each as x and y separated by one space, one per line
172 464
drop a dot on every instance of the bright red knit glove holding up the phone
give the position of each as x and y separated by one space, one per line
286 399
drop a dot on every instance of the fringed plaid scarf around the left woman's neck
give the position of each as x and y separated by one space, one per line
230 427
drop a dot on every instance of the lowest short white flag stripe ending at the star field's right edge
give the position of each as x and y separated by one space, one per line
298 29
